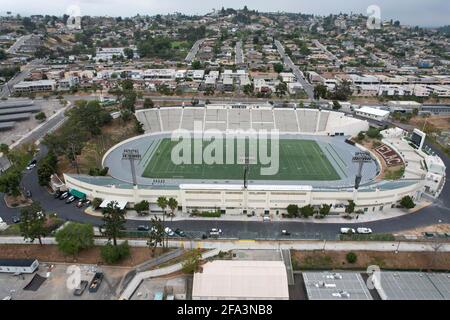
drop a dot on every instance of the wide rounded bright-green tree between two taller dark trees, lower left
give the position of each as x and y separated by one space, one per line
75 237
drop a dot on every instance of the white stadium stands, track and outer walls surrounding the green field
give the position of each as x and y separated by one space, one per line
424 173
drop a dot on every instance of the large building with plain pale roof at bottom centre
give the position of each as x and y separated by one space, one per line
241 280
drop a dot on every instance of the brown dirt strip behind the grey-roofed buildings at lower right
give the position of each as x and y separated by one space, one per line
303 260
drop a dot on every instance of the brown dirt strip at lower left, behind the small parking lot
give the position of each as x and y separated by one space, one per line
50 253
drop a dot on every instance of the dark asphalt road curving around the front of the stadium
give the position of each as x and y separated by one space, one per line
437 213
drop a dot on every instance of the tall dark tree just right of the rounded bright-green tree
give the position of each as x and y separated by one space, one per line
113 221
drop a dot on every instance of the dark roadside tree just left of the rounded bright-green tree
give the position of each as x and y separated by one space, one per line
32 224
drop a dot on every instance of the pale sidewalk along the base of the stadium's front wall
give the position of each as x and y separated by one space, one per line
357 218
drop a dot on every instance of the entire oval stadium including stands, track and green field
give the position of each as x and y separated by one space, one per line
316 162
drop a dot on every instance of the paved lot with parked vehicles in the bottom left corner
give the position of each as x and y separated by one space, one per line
55 285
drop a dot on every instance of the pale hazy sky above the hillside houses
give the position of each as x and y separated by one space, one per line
412 12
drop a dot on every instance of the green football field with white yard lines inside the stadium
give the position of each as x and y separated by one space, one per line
299 160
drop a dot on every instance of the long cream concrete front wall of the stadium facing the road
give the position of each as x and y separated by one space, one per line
259 201
